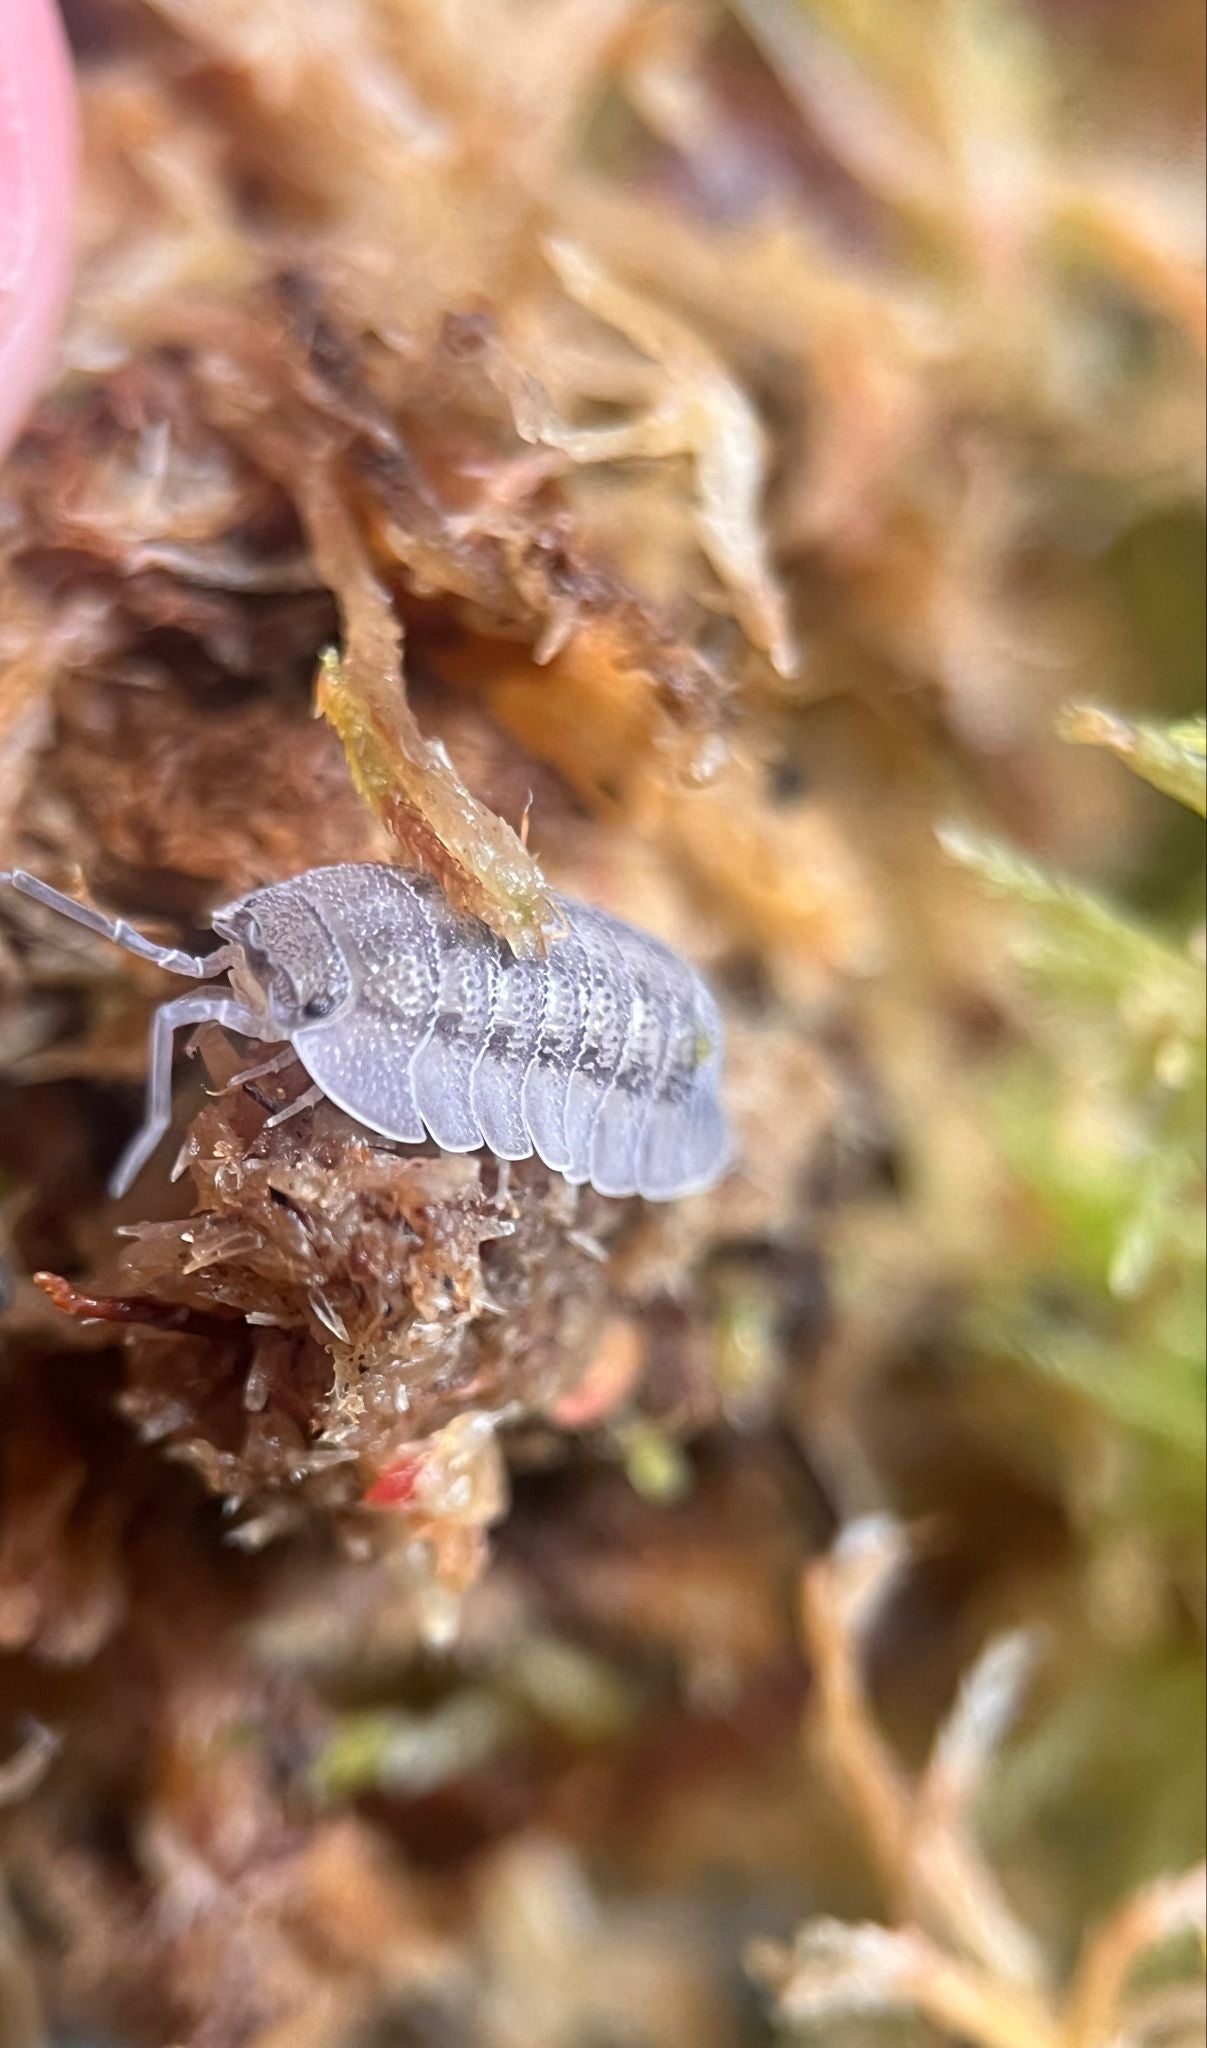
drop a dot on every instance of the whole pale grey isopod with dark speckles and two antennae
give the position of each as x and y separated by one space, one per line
603 1058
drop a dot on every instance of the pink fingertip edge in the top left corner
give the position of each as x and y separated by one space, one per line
38 173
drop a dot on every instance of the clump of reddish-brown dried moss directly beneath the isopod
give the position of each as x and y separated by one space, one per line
343 1326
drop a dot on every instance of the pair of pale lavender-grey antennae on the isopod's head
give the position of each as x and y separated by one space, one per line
214 1005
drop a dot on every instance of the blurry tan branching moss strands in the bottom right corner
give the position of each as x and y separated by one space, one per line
956 1955
